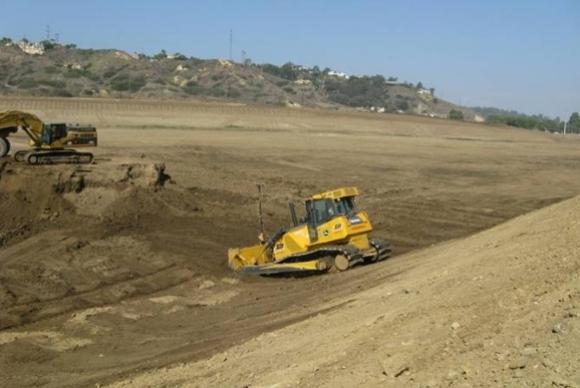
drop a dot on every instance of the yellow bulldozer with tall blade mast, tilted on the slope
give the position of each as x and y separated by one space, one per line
333 236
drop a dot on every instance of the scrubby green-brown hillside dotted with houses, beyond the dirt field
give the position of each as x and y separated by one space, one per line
50 69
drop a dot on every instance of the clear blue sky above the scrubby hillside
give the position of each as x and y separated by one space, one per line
515 54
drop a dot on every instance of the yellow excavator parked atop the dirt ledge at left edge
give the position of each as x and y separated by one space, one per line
50 142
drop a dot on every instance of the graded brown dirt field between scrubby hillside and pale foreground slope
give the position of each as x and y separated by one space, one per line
111 274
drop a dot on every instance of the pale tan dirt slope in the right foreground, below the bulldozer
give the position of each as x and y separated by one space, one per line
500 308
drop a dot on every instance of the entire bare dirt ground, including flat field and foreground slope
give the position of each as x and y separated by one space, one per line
115 269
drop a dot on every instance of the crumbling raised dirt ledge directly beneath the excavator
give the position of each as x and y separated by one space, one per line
30 197
